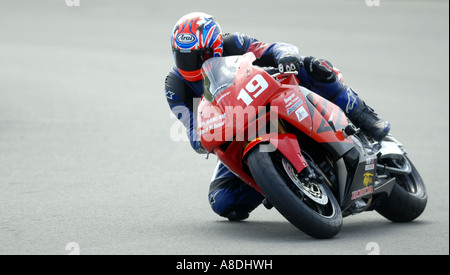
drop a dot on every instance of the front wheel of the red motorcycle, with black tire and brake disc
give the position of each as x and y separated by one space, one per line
304 201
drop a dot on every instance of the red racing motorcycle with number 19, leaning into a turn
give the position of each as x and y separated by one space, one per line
300 151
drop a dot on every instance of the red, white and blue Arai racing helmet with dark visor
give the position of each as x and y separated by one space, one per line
196 37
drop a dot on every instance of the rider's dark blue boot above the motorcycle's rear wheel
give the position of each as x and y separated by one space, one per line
361 115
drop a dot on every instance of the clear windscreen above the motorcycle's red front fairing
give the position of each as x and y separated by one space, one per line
218 75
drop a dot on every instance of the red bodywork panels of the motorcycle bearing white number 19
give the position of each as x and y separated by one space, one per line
235 117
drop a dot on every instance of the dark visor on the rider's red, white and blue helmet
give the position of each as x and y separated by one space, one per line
191 60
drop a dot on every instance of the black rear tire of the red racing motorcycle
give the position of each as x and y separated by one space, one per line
408 198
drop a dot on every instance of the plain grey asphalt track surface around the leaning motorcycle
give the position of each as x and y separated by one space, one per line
86 151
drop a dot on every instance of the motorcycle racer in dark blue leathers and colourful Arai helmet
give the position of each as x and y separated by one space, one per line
197 37
